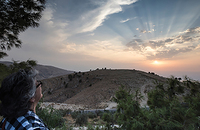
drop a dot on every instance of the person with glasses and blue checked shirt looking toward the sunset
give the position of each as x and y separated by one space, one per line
19 95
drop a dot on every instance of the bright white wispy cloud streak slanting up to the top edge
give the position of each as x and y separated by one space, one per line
91 19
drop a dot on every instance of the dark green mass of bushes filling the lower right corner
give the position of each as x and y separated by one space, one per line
174 106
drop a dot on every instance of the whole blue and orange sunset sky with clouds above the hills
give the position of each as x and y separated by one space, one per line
160 36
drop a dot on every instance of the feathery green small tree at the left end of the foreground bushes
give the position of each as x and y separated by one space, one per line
129 113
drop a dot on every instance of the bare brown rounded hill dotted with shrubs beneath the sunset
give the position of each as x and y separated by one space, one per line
93 88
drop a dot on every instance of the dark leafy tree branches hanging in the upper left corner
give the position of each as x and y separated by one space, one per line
15 17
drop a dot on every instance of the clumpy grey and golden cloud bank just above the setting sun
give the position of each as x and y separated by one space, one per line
169 47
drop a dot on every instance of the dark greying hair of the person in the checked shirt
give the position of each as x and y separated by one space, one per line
16 91
